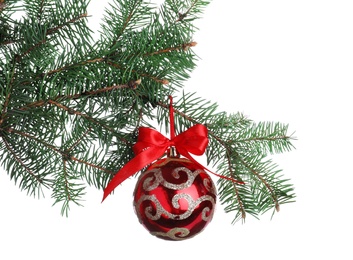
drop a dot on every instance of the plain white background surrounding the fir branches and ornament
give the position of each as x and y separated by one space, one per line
286 61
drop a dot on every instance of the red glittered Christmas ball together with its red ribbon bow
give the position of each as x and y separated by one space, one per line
175 198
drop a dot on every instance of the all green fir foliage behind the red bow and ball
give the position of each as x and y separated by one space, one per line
70 105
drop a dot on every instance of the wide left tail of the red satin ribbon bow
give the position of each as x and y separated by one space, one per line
130 168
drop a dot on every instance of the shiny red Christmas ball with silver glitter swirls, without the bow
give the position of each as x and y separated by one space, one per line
174 199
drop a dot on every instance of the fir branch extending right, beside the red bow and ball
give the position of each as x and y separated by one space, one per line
229 149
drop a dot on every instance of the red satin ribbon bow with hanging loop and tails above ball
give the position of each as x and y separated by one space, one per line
151 145
